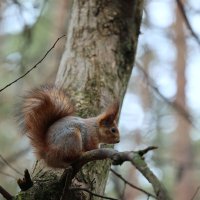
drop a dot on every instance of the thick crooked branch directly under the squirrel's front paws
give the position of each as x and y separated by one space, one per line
118 158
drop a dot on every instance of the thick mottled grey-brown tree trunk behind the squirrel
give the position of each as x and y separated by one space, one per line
94 70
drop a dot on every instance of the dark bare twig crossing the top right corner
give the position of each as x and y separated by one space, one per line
182 10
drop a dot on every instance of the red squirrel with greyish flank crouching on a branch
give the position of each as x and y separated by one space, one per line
57 135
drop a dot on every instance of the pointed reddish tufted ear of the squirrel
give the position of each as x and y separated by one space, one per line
107 118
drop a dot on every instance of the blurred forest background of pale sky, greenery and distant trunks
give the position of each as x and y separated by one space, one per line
161 107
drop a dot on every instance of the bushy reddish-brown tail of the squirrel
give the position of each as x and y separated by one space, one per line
40 109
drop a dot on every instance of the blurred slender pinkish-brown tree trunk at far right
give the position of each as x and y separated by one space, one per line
184 188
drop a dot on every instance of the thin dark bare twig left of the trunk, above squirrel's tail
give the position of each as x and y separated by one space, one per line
27 72
